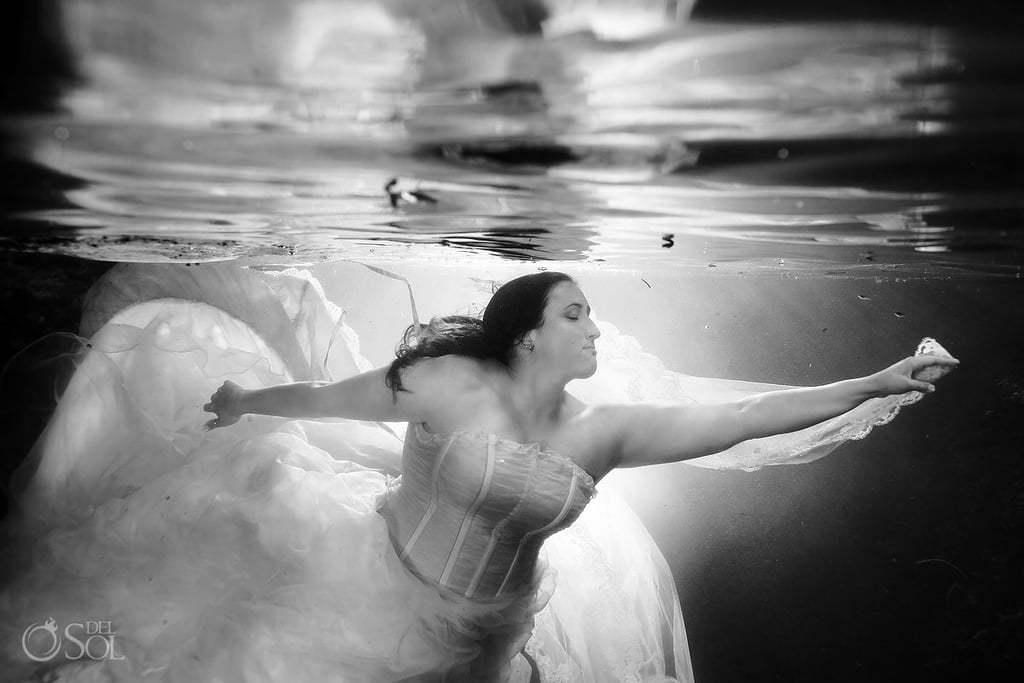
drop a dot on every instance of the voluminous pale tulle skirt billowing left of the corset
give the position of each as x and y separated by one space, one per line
251 554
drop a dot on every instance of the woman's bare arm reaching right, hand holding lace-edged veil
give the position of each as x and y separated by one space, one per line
648 435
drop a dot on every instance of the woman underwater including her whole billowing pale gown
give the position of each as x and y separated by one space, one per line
282 549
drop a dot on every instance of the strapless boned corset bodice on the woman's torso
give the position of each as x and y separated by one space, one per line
473 509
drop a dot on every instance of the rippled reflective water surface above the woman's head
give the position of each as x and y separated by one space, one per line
826 148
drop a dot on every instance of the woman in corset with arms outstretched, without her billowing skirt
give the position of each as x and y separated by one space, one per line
475 391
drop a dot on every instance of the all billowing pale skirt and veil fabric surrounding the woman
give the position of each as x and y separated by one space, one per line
263 551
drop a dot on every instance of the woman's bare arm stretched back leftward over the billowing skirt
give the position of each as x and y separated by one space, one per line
364 397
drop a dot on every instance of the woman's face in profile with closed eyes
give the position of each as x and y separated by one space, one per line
566 341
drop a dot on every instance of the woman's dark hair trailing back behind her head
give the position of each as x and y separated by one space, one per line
515 310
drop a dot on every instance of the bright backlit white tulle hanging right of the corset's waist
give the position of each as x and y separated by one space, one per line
615 589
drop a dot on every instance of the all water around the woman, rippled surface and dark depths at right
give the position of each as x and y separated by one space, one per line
804 192
